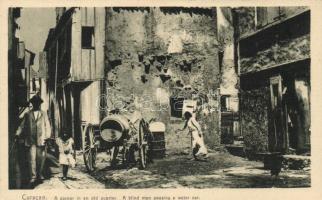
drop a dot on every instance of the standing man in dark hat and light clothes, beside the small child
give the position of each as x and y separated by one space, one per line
33 131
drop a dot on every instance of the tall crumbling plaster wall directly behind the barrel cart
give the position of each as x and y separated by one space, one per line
153 54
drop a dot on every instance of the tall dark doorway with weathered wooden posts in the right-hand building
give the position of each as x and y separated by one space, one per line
289 124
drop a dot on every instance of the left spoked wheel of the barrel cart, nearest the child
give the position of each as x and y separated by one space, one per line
90 150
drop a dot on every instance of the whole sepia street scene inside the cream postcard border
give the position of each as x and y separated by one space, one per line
159 97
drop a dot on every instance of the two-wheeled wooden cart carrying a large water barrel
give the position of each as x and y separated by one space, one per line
113 133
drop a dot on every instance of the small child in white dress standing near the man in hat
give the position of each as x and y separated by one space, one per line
66 159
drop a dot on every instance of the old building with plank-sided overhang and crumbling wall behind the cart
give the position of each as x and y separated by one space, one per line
145 62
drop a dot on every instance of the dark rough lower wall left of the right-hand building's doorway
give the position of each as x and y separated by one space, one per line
254 106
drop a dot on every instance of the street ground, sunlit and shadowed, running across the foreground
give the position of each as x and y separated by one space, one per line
222 170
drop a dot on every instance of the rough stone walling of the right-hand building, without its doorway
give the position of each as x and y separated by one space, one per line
273 46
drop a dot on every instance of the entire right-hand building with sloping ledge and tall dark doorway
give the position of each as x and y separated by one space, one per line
274 68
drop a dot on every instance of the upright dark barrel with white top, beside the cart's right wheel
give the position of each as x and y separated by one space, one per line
158 144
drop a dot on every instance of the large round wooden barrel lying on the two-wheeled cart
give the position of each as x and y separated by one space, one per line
114 128
